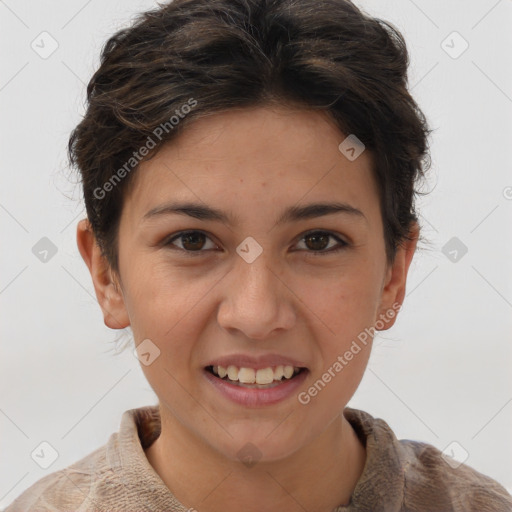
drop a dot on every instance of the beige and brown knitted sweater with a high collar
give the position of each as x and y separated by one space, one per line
398 476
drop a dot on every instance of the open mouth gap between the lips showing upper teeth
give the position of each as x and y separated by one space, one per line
262 378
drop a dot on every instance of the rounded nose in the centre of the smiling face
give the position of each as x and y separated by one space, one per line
256 301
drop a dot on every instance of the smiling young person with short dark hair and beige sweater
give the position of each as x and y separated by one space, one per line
249 172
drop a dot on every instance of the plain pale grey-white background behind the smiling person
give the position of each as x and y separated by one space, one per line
441 375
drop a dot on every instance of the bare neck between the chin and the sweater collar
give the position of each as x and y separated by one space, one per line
318 477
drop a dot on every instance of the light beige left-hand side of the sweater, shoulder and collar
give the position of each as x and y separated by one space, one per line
113 477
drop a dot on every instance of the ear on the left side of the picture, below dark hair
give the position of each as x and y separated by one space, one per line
108 291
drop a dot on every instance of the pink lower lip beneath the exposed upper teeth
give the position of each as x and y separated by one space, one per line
257 397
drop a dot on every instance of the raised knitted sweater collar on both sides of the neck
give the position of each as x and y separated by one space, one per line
382 479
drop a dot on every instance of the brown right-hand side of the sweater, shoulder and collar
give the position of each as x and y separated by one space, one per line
418 477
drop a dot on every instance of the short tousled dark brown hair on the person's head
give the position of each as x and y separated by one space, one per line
229 54
